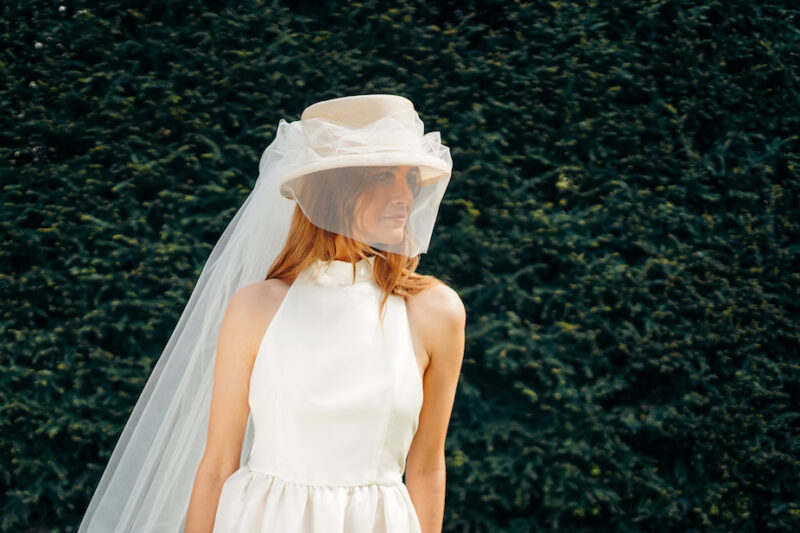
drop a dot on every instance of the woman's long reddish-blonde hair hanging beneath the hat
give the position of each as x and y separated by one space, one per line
306 243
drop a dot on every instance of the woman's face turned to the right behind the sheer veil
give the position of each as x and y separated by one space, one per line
382 211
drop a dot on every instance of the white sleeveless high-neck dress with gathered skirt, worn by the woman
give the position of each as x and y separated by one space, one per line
335 403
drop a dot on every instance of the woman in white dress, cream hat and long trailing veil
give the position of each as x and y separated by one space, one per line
346 359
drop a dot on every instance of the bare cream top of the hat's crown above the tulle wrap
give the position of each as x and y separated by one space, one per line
359 110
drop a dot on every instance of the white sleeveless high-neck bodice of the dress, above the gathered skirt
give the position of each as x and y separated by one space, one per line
335 398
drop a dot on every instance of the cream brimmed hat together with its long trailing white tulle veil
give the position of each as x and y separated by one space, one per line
147 483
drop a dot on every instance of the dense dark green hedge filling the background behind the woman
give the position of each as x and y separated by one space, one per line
622 225
